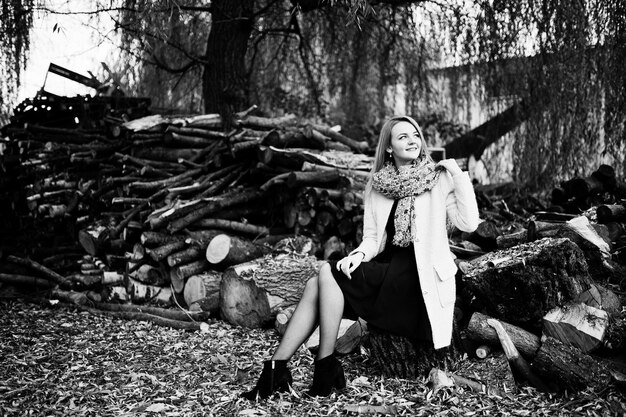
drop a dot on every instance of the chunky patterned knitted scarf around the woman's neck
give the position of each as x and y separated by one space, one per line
404 186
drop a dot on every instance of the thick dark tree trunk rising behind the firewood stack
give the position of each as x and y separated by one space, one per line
224 81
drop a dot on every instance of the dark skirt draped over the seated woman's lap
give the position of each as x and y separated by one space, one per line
386 293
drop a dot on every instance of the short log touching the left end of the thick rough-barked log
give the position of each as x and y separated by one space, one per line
202 292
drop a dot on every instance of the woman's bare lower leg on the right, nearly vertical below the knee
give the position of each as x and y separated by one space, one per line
330 311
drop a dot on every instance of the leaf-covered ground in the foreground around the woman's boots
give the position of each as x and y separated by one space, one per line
55 360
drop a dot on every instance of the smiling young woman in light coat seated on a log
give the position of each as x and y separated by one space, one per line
401 277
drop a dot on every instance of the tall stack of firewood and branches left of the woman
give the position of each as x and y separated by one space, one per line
175 200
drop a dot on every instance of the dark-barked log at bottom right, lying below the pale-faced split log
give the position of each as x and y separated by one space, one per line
570 368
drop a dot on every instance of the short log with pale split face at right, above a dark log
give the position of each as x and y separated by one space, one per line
578 325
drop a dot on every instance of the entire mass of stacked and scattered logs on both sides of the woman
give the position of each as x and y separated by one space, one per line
179 212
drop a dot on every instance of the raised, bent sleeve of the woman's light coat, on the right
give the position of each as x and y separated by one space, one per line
461 205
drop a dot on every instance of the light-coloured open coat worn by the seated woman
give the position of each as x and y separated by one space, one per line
452 196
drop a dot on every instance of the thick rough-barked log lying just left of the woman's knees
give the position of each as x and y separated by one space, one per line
251 294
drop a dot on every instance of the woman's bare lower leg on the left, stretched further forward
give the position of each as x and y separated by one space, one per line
302 322
